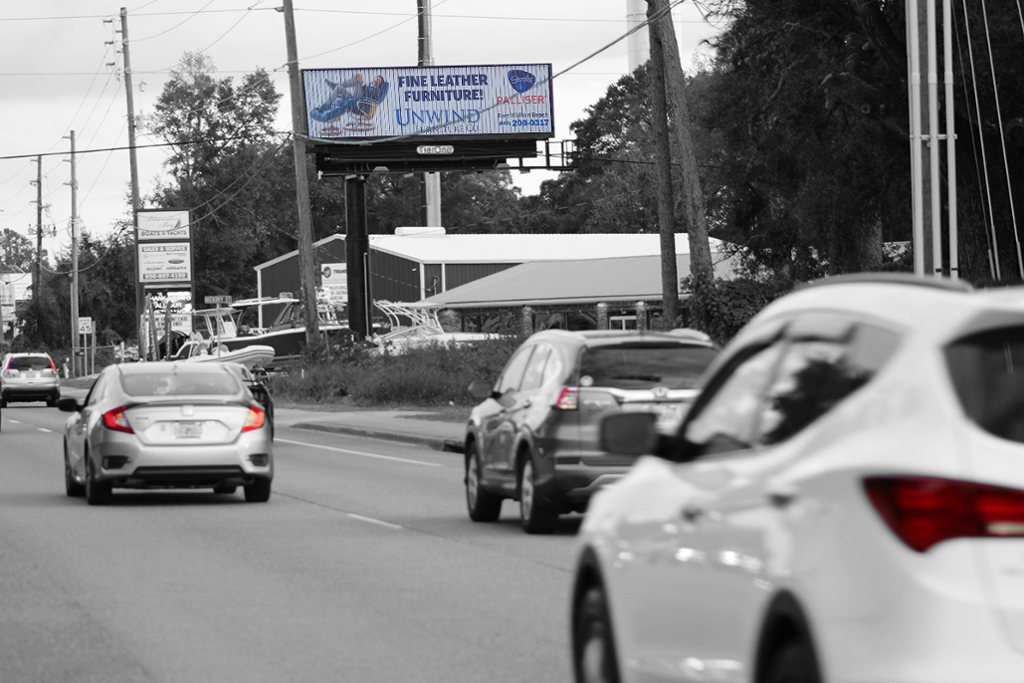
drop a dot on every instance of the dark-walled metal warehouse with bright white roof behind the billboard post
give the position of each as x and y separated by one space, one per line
419 263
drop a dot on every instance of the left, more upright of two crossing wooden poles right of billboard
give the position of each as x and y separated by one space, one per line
663 166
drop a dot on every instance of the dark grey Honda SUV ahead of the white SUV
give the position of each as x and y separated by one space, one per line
534 439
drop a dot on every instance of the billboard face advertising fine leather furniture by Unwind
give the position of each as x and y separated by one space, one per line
511 101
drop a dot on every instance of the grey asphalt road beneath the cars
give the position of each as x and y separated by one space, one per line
363 568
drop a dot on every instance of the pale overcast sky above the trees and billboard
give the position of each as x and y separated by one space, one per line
61 71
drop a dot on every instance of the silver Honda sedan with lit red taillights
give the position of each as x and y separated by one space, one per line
167 425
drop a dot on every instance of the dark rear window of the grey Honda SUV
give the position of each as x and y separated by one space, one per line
672 367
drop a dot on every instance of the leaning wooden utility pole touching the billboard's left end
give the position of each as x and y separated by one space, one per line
308 276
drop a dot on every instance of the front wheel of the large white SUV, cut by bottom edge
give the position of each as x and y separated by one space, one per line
593 647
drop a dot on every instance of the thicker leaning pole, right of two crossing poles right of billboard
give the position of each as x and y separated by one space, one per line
663 40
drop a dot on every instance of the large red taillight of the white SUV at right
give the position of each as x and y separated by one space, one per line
924 511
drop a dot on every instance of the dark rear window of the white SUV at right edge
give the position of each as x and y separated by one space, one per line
985 370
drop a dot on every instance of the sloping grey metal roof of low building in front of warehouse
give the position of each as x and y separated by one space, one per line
552 283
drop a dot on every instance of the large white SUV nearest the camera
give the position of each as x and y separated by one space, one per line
843 502
